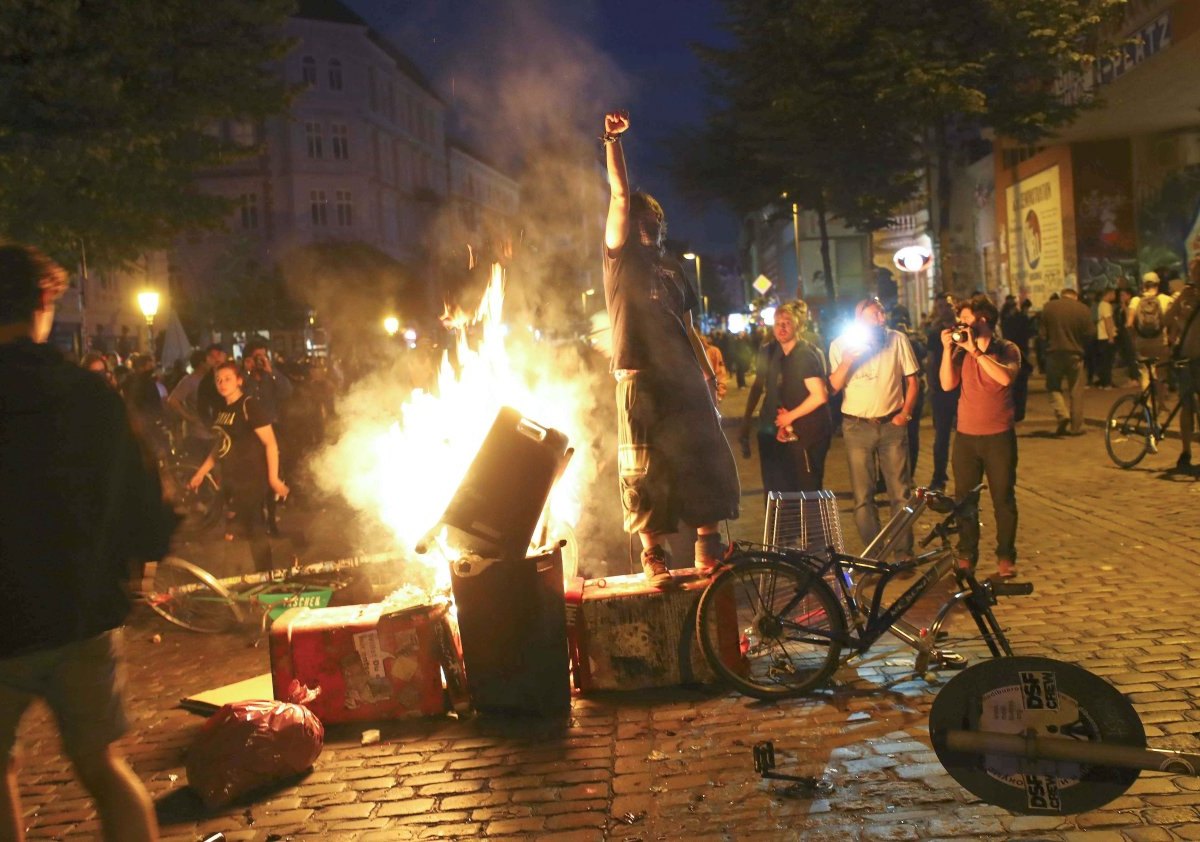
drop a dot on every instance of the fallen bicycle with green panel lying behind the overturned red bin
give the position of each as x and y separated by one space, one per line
191 598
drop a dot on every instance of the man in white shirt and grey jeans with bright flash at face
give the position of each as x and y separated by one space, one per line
878 369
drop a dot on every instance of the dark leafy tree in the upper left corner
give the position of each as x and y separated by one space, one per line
107 115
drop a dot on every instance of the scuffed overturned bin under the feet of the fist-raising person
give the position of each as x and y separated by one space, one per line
627 635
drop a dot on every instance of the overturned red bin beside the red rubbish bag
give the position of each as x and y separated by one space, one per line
371 663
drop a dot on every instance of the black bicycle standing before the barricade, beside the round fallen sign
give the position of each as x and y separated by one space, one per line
773 622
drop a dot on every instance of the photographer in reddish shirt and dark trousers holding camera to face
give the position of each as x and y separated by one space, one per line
986 446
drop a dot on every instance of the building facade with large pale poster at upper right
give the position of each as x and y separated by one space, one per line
1117 194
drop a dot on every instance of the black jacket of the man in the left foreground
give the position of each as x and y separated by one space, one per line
79 502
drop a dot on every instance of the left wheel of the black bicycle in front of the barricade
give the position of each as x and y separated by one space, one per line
770 629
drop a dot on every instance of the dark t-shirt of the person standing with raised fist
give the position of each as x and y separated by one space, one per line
649 299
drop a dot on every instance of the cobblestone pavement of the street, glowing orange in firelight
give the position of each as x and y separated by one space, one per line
1113 555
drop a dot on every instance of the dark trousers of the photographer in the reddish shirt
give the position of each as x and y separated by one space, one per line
995 458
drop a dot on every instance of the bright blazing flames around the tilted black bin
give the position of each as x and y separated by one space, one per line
406 471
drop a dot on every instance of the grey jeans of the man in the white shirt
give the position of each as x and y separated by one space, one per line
866 443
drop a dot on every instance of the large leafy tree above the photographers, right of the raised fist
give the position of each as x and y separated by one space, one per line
844 103
